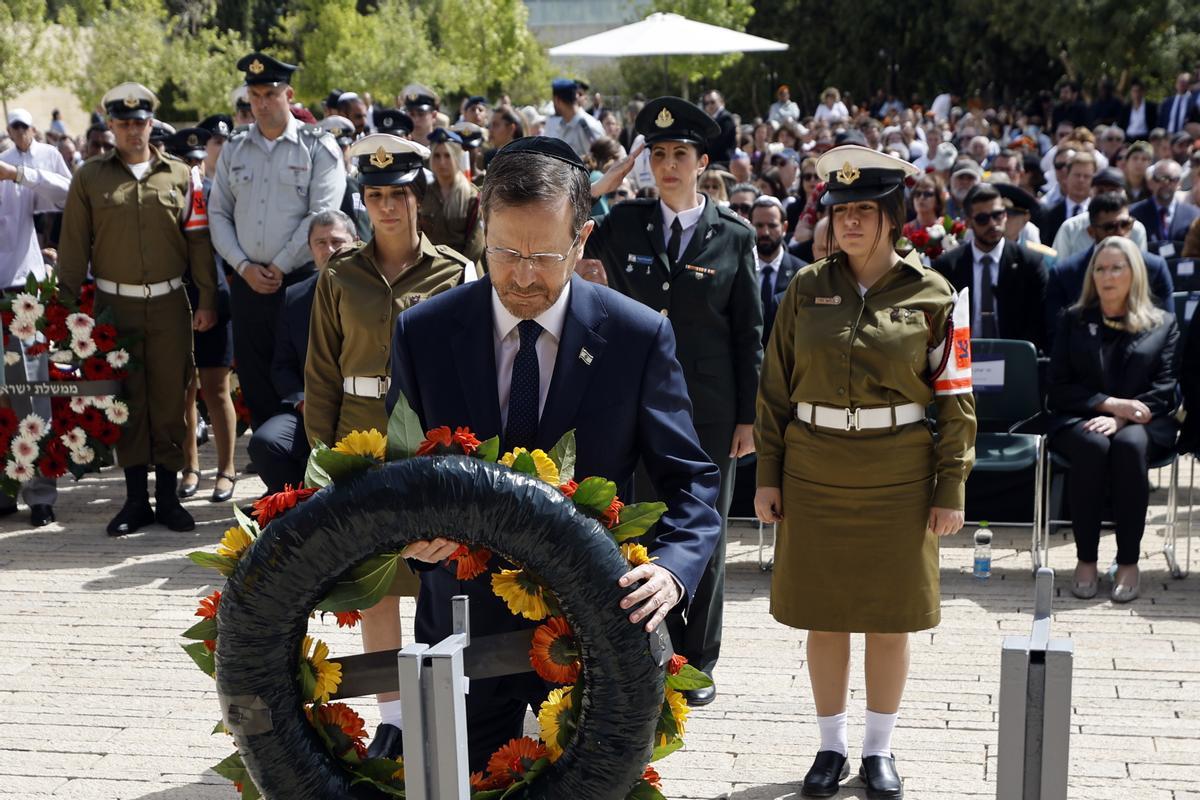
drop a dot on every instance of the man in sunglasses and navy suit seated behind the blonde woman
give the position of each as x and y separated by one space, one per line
1108 216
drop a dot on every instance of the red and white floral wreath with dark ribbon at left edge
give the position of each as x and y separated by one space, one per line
83 429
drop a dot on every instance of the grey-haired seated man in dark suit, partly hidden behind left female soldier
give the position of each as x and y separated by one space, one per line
280 448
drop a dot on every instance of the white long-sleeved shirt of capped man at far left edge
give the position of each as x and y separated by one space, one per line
44 189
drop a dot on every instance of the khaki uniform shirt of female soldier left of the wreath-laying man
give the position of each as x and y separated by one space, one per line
350 335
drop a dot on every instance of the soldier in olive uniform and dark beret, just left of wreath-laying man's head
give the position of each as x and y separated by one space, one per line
451 209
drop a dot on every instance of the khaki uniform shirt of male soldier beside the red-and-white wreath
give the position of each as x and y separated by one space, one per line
136 231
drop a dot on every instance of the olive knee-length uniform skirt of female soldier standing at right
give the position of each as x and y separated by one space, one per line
854 552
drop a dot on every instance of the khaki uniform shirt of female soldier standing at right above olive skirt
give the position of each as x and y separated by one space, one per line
832 346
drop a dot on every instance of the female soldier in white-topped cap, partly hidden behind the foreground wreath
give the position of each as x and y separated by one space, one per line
359 296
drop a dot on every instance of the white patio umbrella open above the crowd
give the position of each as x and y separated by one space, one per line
667 35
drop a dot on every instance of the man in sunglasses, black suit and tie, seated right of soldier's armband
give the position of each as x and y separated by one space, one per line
1007 281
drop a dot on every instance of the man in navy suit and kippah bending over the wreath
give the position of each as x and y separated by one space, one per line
530 353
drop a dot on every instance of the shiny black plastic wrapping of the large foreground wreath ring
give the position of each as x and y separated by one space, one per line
299 557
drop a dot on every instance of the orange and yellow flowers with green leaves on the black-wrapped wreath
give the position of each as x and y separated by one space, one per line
555 654
